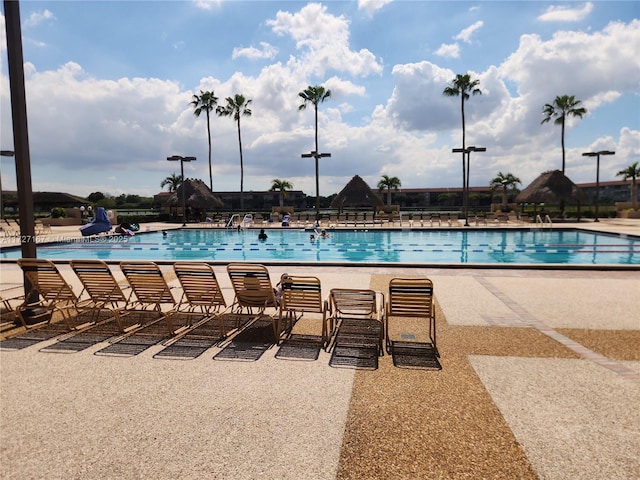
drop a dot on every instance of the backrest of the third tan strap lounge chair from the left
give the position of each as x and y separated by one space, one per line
148 283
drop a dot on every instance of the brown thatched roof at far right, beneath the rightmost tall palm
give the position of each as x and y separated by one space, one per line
551 187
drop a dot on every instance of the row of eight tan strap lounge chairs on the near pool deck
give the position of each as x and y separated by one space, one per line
145 303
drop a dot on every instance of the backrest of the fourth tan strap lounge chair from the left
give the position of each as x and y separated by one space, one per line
199 284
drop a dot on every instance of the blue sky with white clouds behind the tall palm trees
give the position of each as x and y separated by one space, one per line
109 84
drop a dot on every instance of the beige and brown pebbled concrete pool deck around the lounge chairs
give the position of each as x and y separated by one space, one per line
540 379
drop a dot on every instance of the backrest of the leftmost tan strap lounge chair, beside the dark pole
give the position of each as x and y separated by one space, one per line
47 280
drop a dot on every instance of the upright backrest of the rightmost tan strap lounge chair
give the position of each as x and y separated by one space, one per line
410 297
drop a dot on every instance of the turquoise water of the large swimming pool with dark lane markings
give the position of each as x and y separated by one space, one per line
568 247
